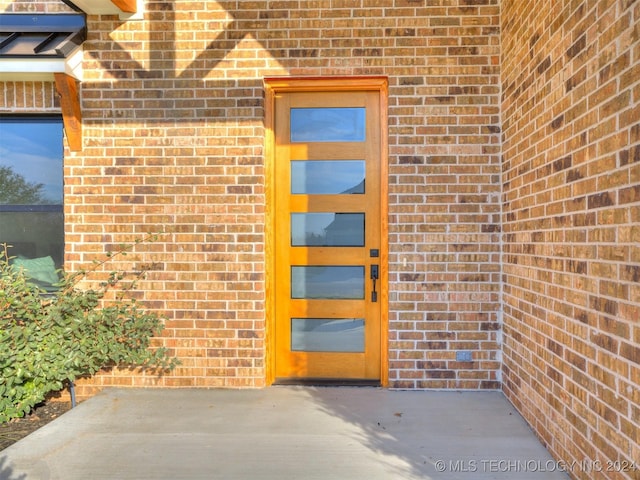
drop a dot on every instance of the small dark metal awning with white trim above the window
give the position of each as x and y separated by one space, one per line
35 47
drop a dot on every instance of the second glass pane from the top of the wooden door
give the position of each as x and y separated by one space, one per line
327 177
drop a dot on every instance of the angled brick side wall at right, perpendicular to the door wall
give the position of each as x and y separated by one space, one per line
571 221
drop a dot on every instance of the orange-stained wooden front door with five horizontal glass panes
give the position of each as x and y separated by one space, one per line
328 287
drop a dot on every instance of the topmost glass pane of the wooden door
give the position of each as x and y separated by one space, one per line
327 124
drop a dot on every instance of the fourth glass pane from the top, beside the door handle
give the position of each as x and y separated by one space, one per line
335 282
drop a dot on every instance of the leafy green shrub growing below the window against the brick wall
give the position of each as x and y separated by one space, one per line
49 339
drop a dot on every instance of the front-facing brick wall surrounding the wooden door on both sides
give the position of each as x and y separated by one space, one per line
173 139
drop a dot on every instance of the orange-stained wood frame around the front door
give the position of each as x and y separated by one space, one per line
274 86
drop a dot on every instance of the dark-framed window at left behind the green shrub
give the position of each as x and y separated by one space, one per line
31 194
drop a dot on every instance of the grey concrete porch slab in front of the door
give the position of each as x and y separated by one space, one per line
284 433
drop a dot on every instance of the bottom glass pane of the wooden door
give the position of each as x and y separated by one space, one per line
327 334
